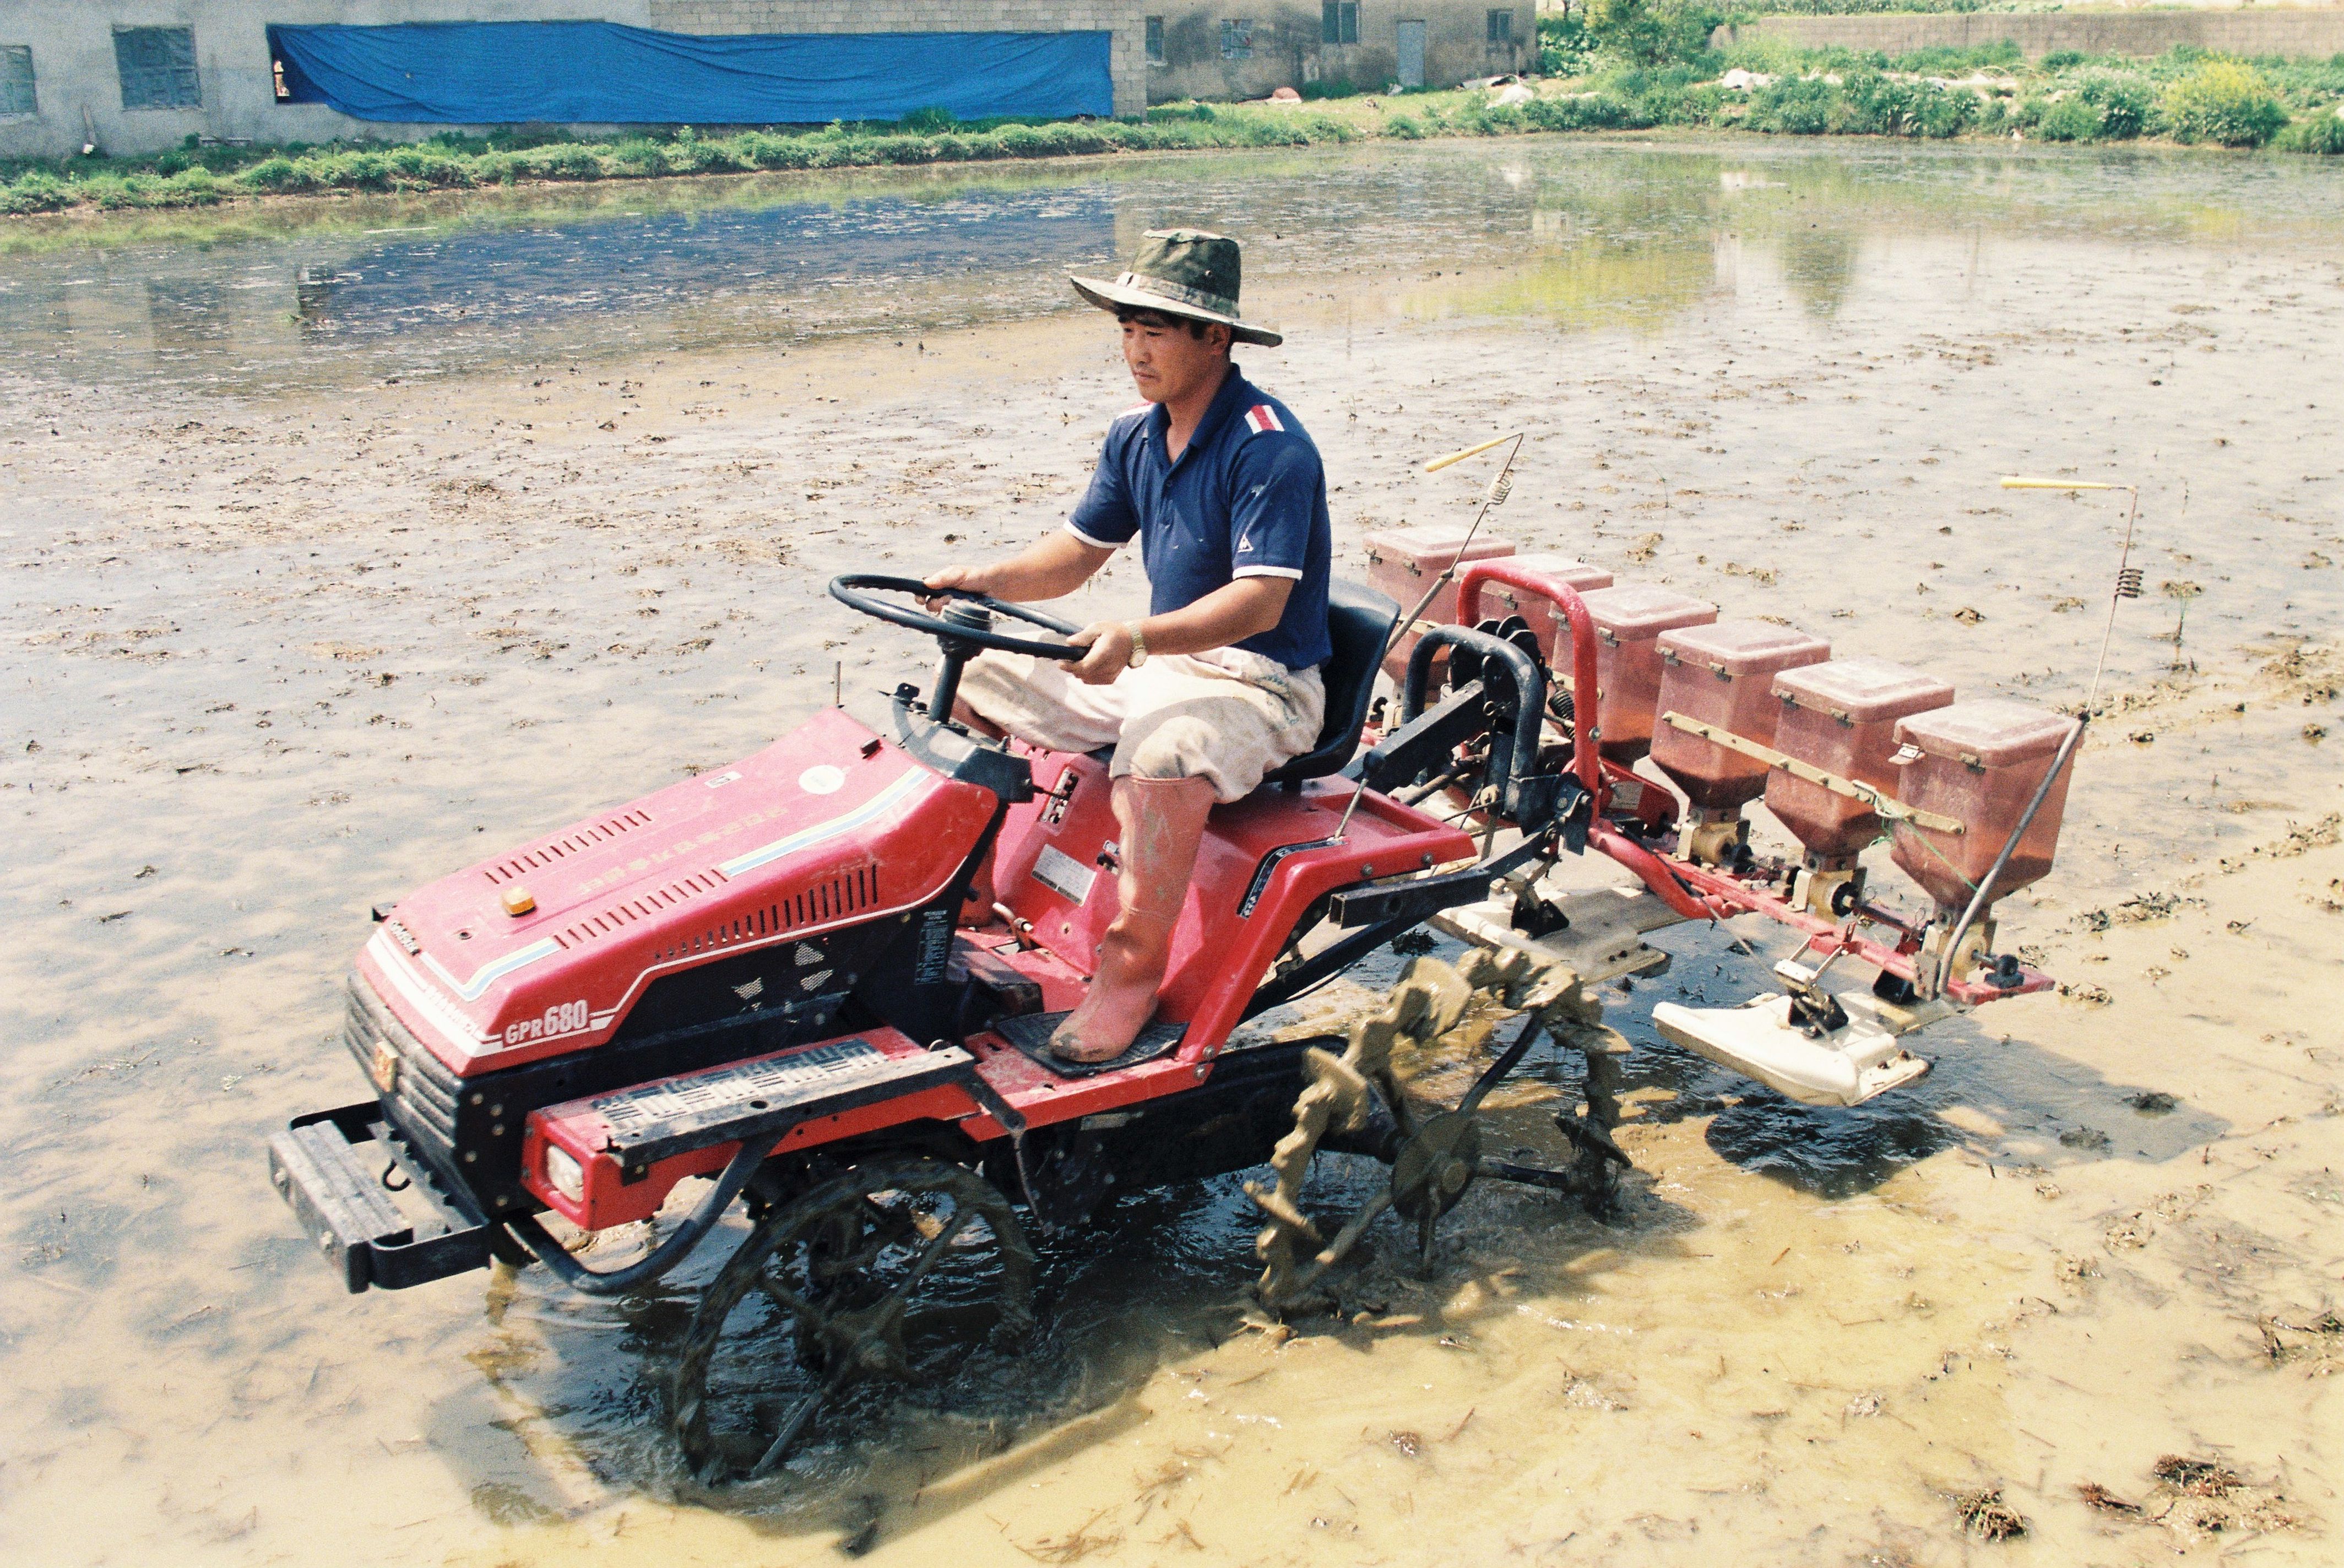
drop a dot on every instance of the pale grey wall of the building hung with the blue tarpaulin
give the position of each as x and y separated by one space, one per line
81 93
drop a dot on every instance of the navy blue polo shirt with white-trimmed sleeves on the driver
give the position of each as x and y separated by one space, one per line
1248 498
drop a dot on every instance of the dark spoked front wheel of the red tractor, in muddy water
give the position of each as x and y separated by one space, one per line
894 1272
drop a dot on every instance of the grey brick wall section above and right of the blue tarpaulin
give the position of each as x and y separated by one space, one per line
1119 18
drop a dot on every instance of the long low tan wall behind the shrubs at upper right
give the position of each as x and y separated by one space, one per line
2303 34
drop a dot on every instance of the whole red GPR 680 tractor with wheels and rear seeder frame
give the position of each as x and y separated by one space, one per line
772 976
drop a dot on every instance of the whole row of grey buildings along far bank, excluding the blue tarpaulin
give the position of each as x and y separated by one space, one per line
142 76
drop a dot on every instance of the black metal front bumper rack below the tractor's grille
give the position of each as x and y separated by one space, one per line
348 1213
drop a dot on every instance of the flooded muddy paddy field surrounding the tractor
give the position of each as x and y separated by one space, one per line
348 543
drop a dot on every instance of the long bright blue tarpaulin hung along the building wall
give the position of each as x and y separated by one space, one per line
601 71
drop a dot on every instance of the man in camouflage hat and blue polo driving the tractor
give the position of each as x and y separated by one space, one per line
1220 683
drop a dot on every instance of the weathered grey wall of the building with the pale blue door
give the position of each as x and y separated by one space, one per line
1288 46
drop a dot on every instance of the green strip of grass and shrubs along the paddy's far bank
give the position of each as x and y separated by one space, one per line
1597 86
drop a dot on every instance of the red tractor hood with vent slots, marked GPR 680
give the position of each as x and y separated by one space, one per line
831 826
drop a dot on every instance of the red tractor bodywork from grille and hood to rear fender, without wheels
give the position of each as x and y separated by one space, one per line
751 906
